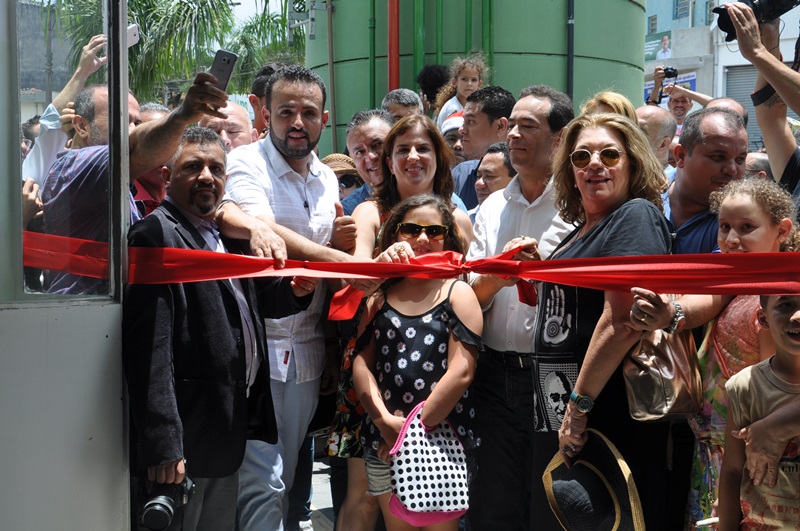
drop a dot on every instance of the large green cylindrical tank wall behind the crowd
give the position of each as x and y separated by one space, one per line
529 46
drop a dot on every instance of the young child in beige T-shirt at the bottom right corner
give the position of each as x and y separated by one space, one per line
754 393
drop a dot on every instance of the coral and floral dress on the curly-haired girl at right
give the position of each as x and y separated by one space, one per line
730 345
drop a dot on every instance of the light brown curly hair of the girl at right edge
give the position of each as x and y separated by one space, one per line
775 201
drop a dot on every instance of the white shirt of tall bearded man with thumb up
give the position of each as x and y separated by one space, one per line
262 183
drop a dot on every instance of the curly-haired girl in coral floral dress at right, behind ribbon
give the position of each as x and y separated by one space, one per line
755 216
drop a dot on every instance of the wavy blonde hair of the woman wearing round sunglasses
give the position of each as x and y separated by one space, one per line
647 180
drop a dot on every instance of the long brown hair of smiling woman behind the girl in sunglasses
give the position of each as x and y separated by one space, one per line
386 194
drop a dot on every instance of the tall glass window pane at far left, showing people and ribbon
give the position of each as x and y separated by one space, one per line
84 201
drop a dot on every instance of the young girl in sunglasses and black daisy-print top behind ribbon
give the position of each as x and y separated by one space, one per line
422 344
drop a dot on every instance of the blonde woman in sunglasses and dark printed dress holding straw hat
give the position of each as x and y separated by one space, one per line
609 183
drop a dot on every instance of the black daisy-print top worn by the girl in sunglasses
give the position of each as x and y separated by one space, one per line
410 359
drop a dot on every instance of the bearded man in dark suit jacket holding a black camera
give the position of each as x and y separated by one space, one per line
194 351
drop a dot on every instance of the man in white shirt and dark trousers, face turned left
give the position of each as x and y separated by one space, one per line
508 411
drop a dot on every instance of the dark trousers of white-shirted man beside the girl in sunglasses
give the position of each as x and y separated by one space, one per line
500 495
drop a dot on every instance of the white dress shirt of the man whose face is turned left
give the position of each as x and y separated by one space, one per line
506 214
